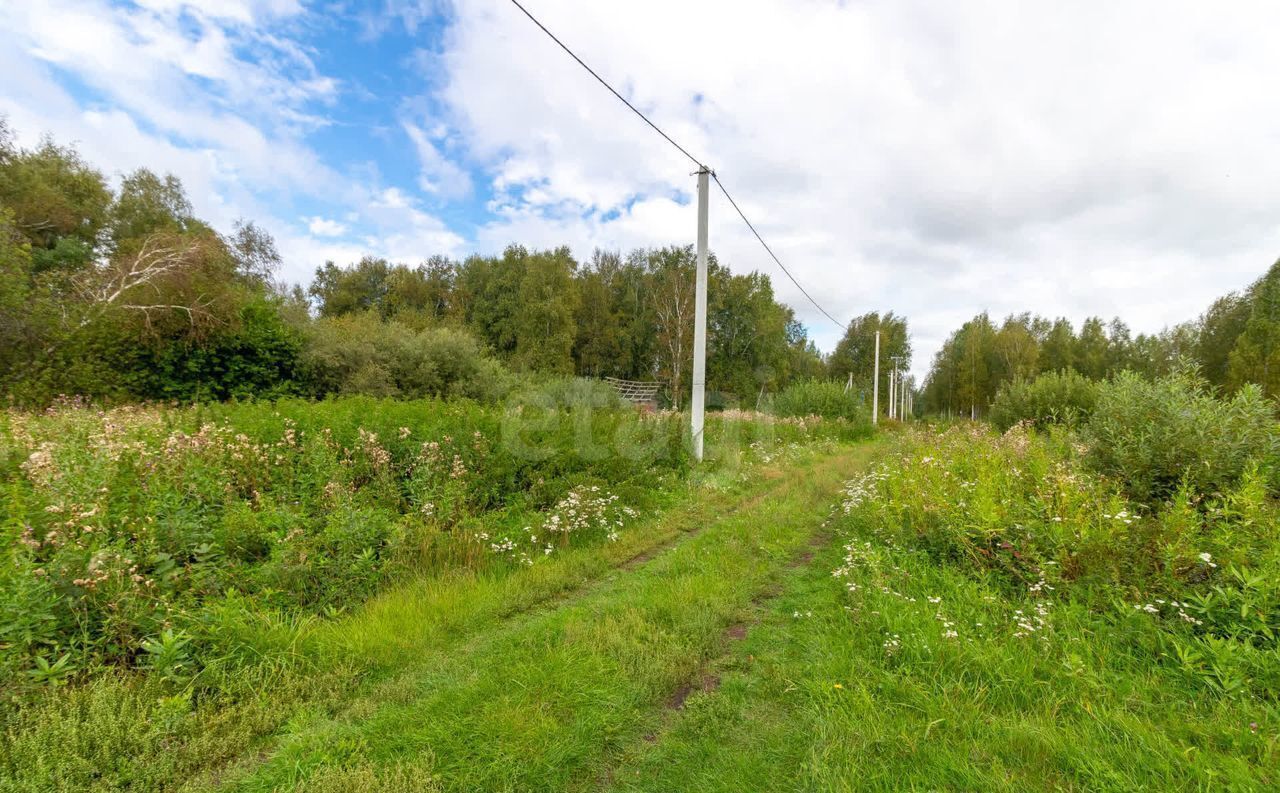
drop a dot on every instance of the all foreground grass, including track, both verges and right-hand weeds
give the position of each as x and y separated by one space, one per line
993 625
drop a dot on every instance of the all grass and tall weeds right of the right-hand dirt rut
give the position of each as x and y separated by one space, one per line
985 624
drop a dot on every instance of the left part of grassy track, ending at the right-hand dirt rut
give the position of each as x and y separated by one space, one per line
482 689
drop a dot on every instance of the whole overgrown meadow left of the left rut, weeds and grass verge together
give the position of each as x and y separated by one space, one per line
228 652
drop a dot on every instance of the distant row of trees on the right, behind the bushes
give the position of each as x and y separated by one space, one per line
1237 341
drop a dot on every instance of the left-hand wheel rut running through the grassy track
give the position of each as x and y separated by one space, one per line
687 522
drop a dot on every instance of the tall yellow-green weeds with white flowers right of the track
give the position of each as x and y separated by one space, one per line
1026 510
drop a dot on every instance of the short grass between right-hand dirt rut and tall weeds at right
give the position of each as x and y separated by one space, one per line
815 700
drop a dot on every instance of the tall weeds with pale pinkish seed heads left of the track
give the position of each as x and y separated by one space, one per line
131 535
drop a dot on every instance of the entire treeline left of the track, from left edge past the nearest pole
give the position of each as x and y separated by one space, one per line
125 295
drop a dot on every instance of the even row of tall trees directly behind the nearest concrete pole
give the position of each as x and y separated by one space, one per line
624 317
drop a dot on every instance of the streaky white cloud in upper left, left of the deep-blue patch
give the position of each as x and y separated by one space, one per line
217 94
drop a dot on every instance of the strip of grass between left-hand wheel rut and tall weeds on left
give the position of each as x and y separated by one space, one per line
130 731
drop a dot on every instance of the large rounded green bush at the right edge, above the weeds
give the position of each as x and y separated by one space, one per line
1156 436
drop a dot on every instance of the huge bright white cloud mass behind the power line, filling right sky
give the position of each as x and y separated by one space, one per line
936 161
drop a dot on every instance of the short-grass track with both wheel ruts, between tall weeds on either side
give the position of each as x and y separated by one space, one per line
714 650
